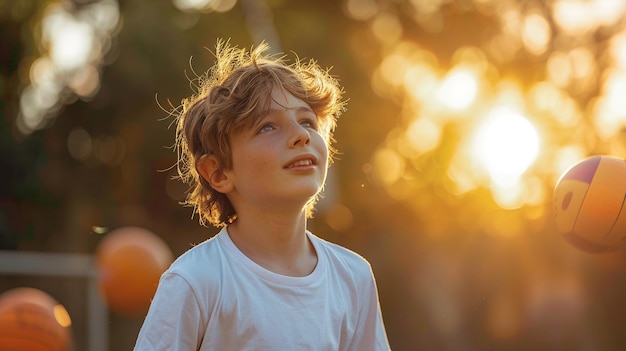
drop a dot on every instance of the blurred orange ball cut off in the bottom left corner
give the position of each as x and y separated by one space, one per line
31 320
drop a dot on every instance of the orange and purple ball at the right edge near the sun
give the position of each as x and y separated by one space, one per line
589 204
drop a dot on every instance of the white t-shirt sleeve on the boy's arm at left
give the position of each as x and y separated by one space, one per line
174 321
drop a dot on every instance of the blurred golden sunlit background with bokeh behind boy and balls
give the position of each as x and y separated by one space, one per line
462 116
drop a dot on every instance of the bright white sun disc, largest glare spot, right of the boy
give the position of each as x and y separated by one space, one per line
506 145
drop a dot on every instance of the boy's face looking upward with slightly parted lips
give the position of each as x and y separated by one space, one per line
282 160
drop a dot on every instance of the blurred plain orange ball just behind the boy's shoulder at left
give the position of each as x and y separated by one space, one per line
130 261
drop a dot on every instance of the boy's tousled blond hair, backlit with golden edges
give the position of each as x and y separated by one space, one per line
231 96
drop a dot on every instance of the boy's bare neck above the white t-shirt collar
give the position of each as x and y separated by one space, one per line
276 244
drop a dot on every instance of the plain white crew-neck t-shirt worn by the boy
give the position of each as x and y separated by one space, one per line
213 297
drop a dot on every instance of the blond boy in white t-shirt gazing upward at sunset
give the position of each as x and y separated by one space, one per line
254 146
